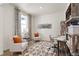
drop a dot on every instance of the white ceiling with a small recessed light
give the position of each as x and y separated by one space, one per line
34 8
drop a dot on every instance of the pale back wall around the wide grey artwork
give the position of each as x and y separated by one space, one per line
53 19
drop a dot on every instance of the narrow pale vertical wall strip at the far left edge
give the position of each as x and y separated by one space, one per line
1 31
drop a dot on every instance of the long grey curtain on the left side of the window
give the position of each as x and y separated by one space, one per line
17 22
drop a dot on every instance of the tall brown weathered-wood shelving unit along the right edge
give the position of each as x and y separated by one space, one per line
72 15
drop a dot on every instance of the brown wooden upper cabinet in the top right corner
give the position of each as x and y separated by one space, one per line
72 12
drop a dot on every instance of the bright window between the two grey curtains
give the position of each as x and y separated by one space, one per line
24 26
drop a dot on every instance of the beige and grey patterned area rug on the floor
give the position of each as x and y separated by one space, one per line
42 48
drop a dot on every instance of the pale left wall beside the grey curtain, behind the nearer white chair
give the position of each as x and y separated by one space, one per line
8 29
